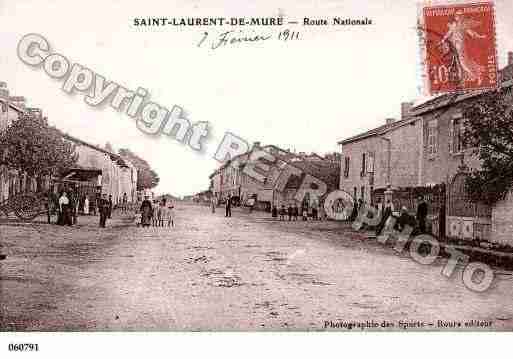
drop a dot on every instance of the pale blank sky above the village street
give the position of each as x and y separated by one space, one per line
303 95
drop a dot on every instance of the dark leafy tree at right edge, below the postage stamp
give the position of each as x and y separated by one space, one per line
489 131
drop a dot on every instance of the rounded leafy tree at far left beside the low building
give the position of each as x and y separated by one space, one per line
31 146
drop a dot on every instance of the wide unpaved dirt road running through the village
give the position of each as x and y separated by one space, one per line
247 272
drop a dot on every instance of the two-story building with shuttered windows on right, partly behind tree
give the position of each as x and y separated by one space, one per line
424 149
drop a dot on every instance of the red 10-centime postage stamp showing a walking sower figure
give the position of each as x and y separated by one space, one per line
460 47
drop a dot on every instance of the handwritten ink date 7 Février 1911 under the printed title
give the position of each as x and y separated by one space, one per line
230 38
